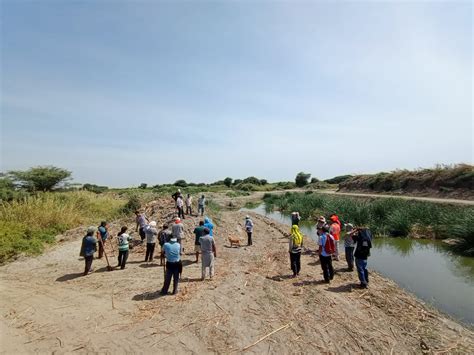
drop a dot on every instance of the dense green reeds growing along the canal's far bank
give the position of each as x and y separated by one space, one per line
388 216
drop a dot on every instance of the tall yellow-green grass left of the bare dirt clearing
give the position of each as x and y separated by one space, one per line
26 225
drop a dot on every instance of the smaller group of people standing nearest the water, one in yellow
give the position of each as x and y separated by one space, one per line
357 244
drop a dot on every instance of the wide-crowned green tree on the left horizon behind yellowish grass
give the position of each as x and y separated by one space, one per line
40 178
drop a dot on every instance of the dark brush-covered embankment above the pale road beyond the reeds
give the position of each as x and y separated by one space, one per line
453 180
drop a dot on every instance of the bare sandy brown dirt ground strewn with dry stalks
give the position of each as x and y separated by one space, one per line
48 307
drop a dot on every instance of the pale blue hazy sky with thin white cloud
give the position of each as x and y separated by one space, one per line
130 92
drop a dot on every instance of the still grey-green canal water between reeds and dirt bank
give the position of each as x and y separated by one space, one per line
426 268
